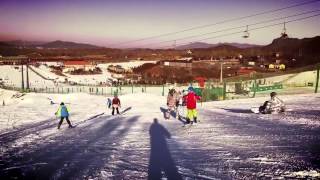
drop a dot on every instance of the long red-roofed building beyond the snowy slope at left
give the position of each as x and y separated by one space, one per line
70 66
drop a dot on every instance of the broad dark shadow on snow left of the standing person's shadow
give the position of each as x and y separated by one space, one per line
76 152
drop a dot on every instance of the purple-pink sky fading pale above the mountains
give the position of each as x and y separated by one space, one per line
119 23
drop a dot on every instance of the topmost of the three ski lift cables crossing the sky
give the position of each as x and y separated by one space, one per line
217 23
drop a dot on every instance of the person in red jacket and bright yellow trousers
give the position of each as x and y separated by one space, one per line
191 100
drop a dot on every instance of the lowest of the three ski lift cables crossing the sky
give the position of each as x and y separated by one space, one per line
262 27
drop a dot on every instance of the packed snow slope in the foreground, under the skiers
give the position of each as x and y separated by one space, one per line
229 142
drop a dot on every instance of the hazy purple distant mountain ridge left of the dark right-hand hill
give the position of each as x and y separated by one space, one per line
202 45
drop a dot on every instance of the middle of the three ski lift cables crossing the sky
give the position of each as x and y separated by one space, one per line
233 28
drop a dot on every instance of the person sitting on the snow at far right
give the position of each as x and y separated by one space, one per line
273 106
